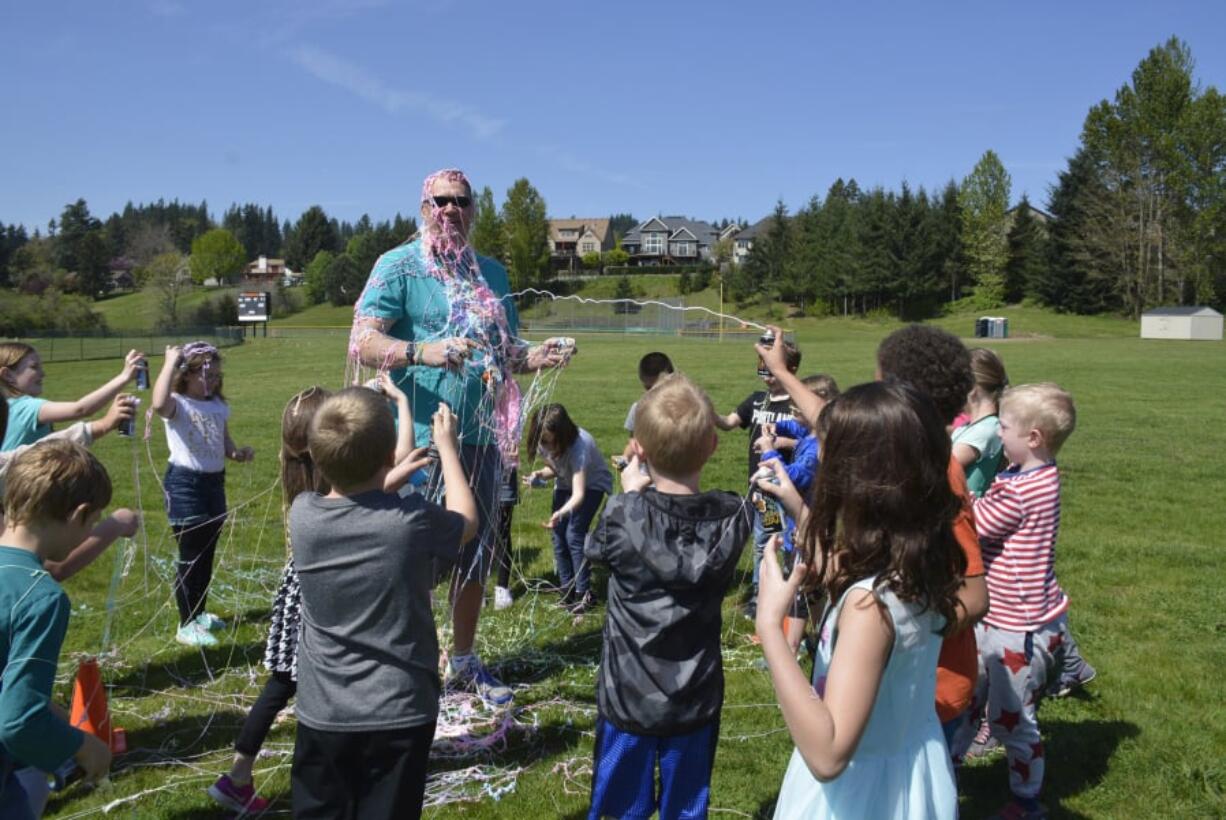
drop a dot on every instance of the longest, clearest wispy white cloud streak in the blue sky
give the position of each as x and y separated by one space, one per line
361 83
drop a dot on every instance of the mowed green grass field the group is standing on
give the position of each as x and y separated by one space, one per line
1142 556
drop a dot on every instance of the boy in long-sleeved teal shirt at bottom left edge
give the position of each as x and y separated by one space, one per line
55 496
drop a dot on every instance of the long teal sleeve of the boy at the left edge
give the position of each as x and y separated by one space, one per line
29 730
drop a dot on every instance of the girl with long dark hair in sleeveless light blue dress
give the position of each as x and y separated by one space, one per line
878 539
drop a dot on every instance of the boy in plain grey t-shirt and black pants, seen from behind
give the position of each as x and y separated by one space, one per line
368 655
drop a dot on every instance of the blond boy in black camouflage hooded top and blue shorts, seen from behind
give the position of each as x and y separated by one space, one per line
671 551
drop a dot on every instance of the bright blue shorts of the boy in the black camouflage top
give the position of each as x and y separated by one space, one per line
625 773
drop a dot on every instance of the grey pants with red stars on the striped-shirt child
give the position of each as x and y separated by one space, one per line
1016 670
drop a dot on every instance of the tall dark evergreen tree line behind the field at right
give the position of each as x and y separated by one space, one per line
1137 220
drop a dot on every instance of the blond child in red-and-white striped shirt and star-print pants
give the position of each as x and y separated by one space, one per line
1022 639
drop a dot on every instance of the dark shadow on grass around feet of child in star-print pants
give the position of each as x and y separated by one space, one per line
1079 758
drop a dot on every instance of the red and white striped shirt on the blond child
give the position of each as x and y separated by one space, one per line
1018 520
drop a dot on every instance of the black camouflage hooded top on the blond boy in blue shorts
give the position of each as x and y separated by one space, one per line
671 561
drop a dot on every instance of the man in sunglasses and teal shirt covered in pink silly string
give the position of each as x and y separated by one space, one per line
437 316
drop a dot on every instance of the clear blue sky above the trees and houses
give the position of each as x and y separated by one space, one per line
704 110
